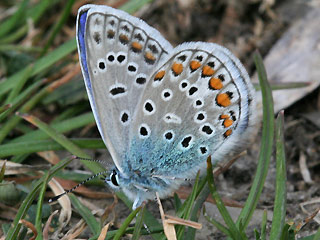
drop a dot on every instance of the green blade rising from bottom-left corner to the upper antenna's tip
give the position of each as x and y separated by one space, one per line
15 228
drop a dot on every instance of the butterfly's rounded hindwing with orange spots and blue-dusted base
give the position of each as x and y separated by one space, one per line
199 103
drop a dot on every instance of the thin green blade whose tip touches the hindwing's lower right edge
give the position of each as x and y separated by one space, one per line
234 232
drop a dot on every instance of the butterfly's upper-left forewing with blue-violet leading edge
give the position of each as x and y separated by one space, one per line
117 53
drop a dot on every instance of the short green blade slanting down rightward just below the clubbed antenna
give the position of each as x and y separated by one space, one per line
86 214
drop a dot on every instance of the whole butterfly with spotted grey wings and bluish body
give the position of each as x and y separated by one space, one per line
161 111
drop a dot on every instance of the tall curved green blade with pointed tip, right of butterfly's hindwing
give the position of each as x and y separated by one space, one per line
265 149
